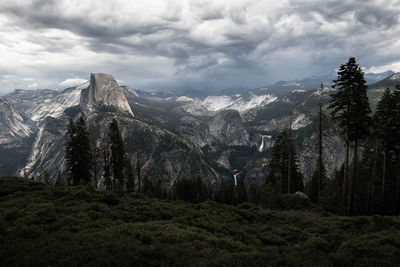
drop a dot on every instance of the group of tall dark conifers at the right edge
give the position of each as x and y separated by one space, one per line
368 181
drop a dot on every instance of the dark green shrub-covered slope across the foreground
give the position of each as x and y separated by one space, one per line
42 225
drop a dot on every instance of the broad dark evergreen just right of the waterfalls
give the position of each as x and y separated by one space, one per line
280 163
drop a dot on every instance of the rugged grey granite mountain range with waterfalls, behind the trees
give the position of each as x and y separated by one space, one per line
173 135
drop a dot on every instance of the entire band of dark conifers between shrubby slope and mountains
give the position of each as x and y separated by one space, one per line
368 182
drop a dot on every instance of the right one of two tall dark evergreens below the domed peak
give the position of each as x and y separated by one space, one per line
117 156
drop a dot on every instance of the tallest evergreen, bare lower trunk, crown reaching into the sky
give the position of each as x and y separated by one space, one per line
350 109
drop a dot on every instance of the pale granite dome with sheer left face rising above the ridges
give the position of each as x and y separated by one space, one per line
103 89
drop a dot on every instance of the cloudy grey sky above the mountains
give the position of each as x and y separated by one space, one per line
191 44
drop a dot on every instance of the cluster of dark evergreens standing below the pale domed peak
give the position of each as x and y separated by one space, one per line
105 164
